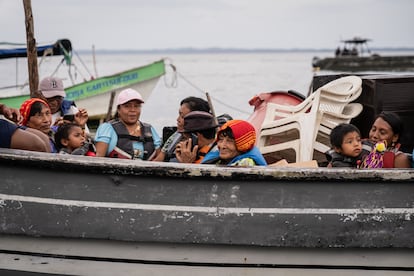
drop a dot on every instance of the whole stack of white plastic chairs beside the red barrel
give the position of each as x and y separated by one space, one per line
306 127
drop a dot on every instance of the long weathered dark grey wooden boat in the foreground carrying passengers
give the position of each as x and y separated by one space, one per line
78 215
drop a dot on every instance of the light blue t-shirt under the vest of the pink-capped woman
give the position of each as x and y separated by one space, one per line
106 134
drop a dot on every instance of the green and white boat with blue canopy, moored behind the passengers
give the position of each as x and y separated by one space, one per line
96 94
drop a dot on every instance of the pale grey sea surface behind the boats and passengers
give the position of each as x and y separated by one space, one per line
231 79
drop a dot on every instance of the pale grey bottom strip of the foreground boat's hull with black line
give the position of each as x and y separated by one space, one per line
58 256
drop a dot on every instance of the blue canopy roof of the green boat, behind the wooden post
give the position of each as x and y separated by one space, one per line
13 50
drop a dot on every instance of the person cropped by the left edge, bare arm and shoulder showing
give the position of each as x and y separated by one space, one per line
14 137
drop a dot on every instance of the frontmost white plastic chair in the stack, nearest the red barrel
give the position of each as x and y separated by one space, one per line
281 120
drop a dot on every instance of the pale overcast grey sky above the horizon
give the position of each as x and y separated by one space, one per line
245 24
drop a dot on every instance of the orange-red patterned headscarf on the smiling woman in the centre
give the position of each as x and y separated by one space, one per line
243 132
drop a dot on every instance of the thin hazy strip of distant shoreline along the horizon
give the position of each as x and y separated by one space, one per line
227 50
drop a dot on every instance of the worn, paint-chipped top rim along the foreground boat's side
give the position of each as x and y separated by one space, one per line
65 162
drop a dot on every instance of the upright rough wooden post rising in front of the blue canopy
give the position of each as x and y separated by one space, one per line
31 50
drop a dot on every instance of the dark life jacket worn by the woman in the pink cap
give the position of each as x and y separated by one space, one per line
125 140
